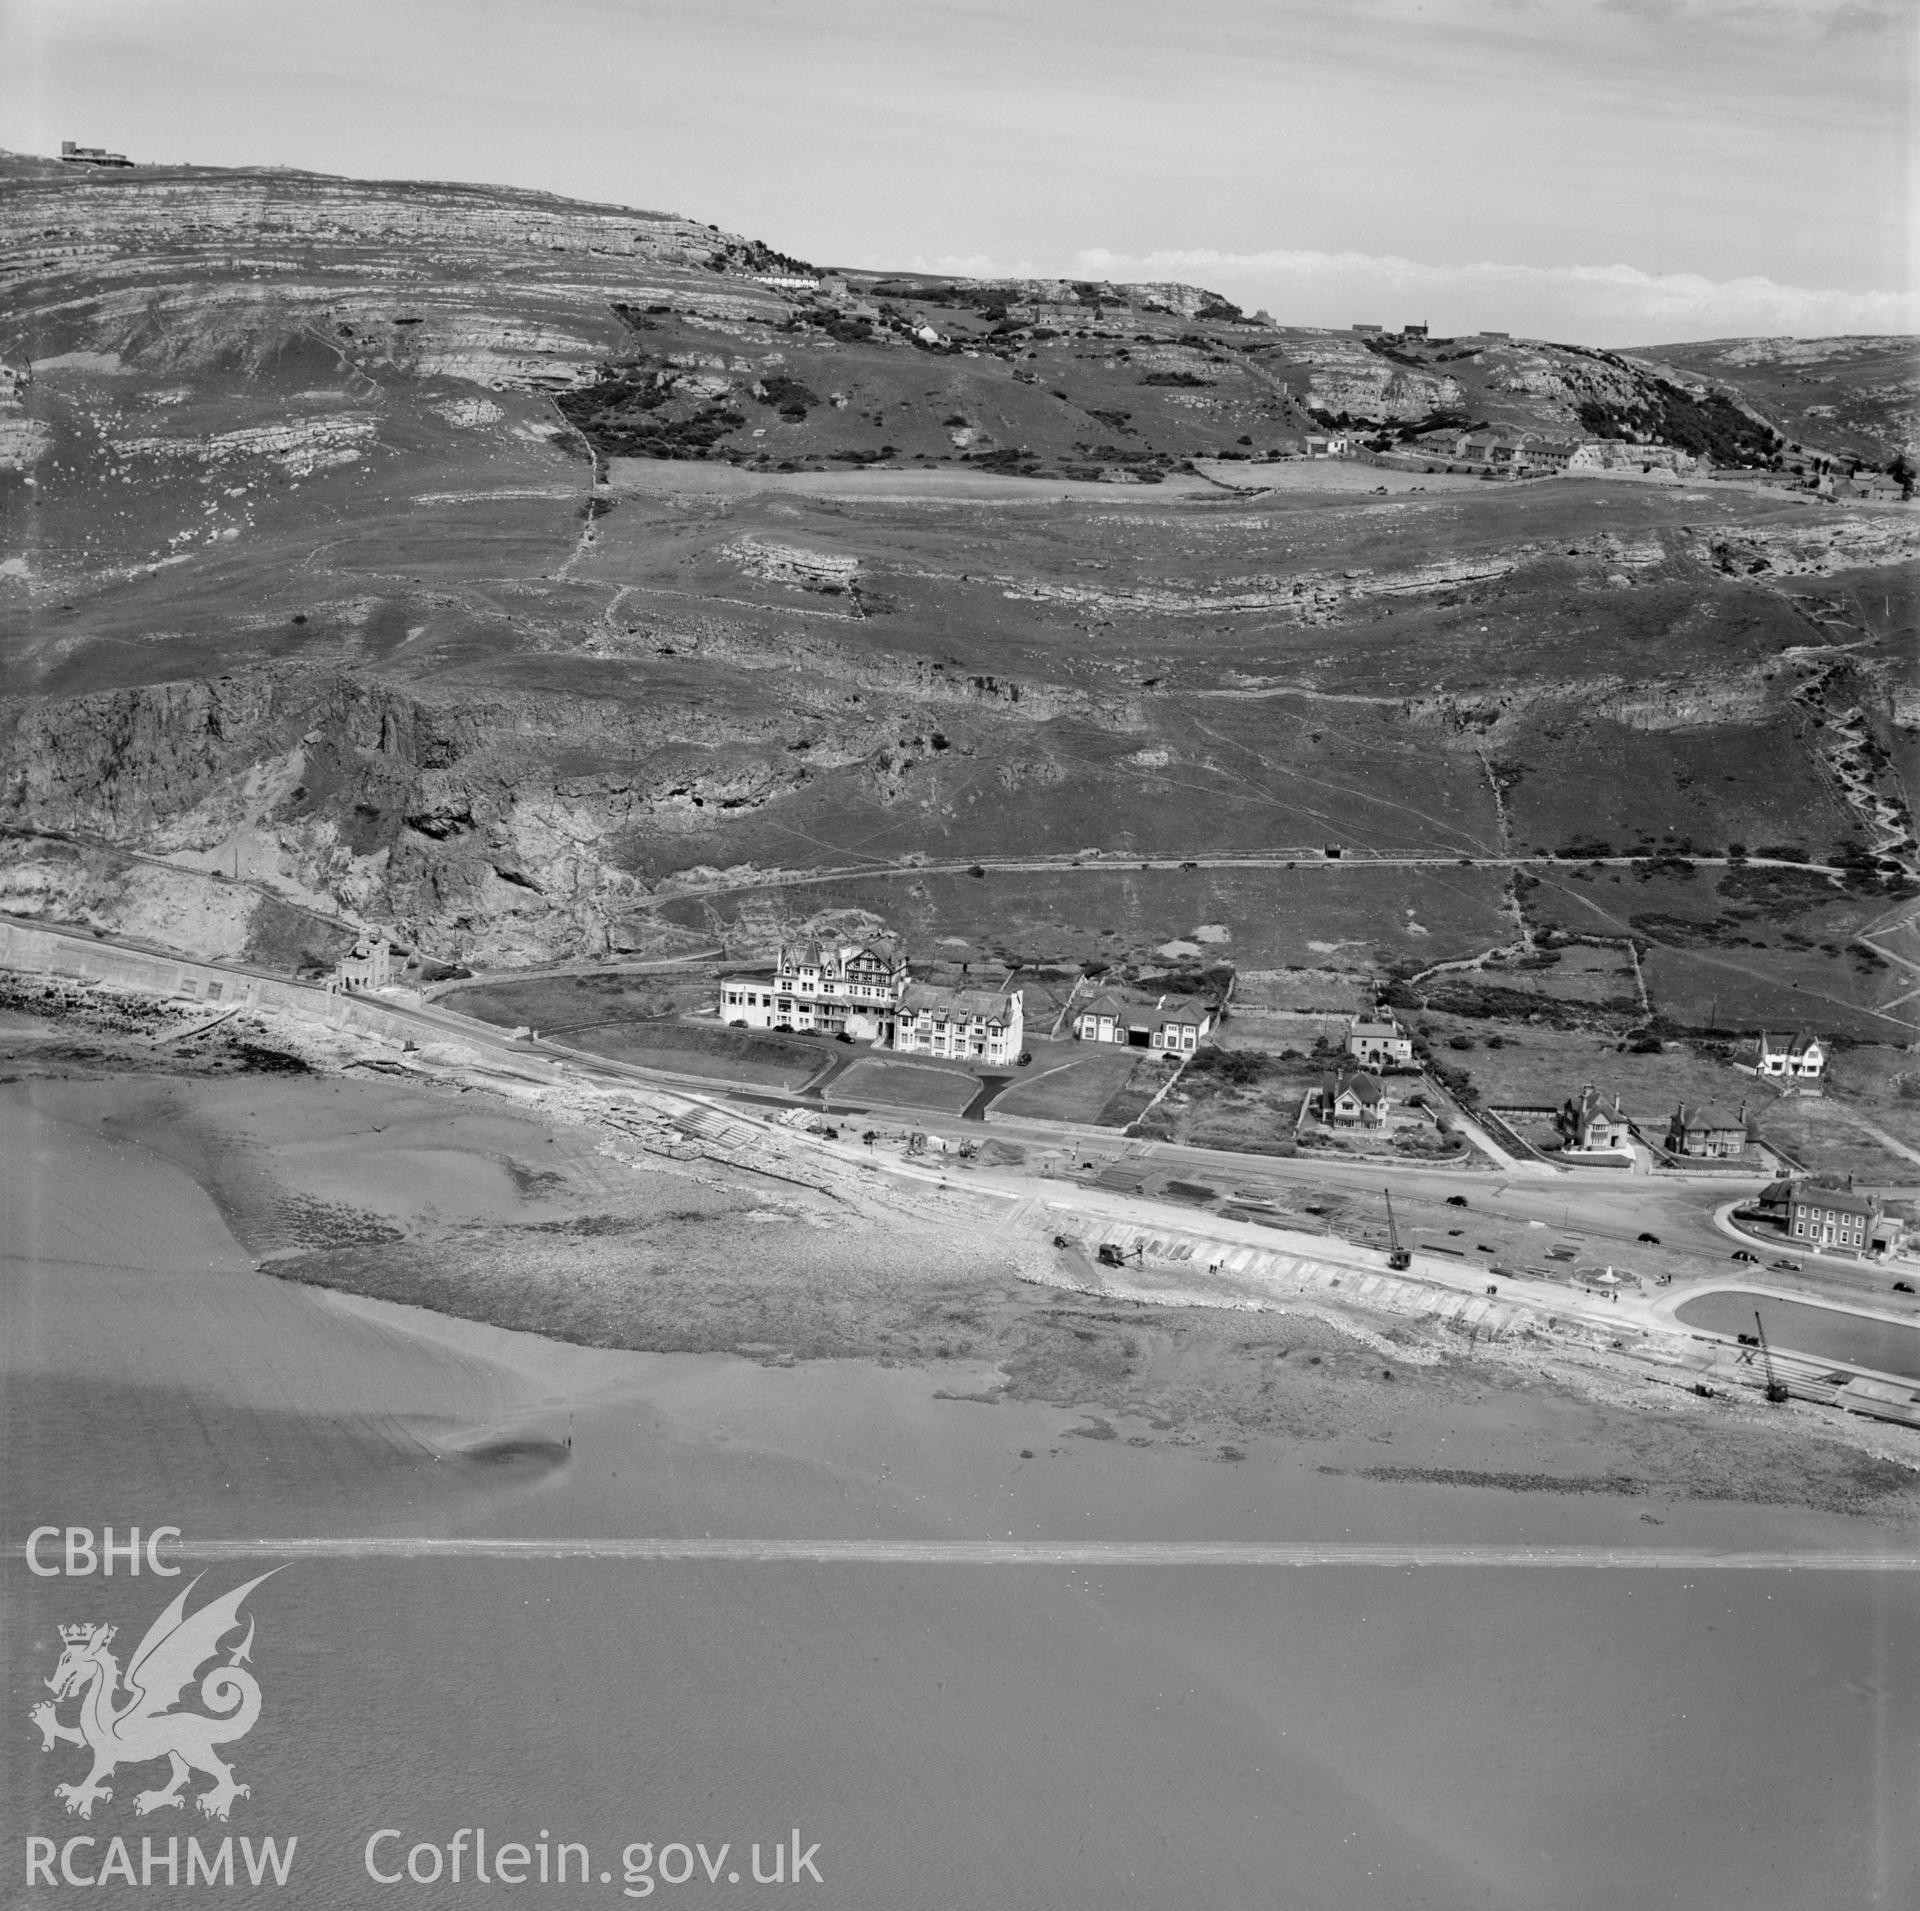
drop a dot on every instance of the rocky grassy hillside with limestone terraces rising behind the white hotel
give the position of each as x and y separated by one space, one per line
516 573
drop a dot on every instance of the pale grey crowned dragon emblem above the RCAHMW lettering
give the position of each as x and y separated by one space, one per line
137 1726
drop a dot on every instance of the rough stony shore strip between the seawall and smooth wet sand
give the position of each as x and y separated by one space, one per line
435 1194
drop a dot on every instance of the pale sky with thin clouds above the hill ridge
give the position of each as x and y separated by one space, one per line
1604 172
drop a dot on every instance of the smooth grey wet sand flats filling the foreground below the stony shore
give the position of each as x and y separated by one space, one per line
1005 1735
